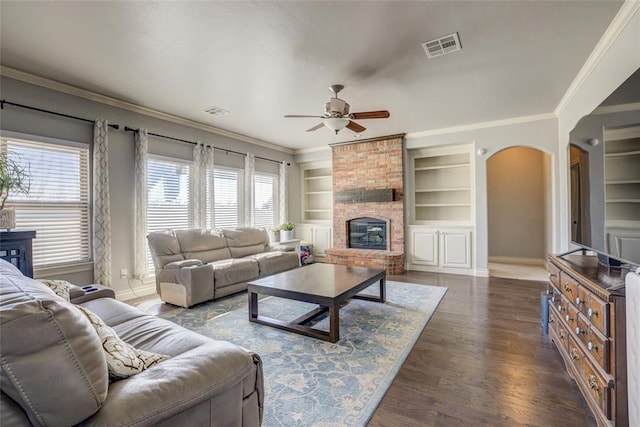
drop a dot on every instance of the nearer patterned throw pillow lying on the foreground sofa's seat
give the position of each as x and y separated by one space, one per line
123 359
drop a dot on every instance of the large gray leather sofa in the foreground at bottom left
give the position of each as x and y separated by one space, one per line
54 370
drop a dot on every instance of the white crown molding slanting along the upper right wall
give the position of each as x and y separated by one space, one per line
619 23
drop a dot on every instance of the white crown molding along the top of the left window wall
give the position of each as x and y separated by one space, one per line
114 102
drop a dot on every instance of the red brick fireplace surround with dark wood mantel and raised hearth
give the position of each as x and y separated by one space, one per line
368 182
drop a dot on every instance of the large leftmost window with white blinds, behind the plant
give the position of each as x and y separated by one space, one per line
57 205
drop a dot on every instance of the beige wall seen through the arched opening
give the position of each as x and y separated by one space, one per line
516 199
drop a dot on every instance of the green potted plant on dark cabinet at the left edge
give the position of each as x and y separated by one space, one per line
14 178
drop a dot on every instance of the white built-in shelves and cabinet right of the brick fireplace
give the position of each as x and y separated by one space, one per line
440 209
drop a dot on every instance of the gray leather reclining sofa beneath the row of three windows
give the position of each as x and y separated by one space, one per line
196 265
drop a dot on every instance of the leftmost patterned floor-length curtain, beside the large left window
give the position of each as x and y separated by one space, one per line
101 209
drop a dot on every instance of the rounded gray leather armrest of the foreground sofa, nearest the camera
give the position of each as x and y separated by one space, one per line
218 371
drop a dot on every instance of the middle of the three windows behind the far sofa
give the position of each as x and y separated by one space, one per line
227 197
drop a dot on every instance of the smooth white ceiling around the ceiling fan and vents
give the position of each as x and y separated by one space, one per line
262 60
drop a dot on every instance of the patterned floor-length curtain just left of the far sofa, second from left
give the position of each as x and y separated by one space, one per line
140 159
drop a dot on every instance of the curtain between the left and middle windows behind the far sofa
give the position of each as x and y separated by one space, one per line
203 157
